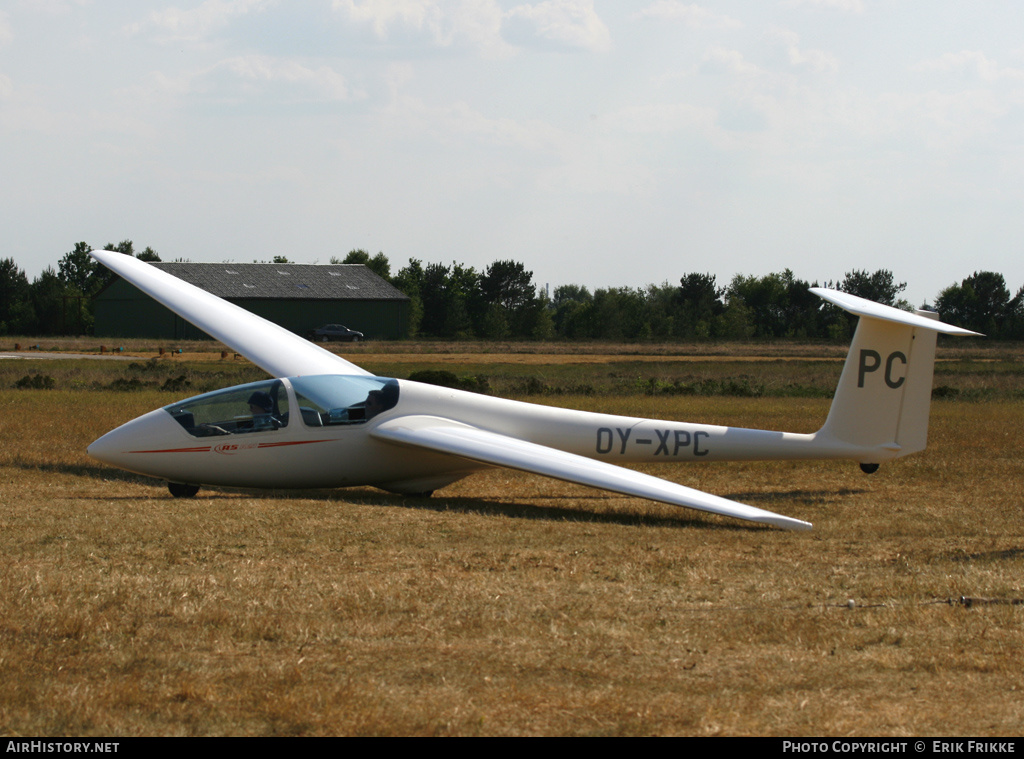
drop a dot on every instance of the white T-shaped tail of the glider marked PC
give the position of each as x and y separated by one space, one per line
885 393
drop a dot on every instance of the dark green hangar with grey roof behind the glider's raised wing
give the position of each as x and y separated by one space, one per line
297 297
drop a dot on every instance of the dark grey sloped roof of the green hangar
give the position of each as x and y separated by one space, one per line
286 281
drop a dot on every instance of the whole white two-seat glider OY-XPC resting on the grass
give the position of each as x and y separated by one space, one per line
324 423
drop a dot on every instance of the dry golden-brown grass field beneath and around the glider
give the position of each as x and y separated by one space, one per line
513 605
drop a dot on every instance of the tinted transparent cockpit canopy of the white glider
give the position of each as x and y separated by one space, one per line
263 407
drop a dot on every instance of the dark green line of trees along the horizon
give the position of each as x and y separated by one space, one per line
455 302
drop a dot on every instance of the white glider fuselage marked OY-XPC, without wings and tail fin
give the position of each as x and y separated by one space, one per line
301 454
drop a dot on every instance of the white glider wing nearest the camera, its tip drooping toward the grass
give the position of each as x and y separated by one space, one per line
453 438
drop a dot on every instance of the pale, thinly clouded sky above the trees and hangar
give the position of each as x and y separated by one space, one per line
601 144
